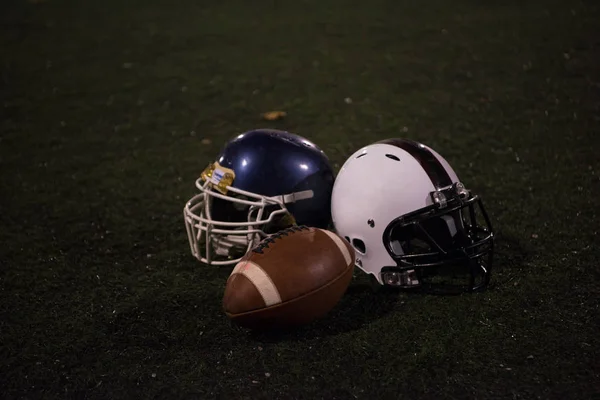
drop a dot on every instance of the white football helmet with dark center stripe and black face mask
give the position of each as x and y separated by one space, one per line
410 220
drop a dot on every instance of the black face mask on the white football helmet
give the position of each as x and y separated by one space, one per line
443 250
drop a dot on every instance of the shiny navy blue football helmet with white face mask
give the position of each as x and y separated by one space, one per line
263 181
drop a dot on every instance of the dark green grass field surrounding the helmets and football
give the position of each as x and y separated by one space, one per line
111 109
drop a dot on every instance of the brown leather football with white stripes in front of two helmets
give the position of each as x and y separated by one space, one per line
289 279
